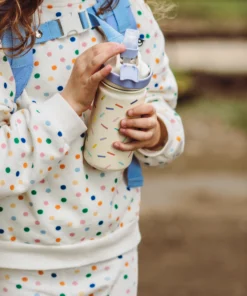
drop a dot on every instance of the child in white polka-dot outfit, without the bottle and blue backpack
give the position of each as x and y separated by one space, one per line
66 228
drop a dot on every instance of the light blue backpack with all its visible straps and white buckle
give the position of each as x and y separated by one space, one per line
113 23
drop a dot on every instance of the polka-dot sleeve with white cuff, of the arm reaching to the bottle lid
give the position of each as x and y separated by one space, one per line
32 140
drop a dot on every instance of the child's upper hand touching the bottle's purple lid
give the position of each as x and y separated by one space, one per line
83 83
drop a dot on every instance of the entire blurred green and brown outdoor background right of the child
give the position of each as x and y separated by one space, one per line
194 212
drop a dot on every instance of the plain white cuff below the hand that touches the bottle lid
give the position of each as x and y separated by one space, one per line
68 121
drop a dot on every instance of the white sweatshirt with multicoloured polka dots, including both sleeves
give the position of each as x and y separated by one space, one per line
55 210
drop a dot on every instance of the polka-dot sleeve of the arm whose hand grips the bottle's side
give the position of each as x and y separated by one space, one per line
162 90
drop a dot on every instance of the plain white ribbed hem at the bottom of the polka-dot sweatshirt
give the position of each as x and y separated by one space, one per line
33 257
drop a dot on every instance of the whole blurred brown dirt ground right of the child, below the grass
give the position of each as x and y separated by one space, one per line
194 215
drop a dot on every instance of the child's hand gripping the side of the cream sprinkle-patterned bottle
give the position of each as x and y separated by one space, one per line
144 128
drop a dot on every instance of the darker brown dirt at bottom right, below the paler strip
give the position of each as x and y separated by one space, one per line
188 254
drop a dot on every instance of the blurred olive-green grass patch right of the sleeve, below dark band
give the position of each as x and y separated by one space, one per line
231 112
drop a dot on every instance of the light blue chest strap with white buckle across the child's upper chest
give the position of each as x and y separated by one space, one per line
113 23
